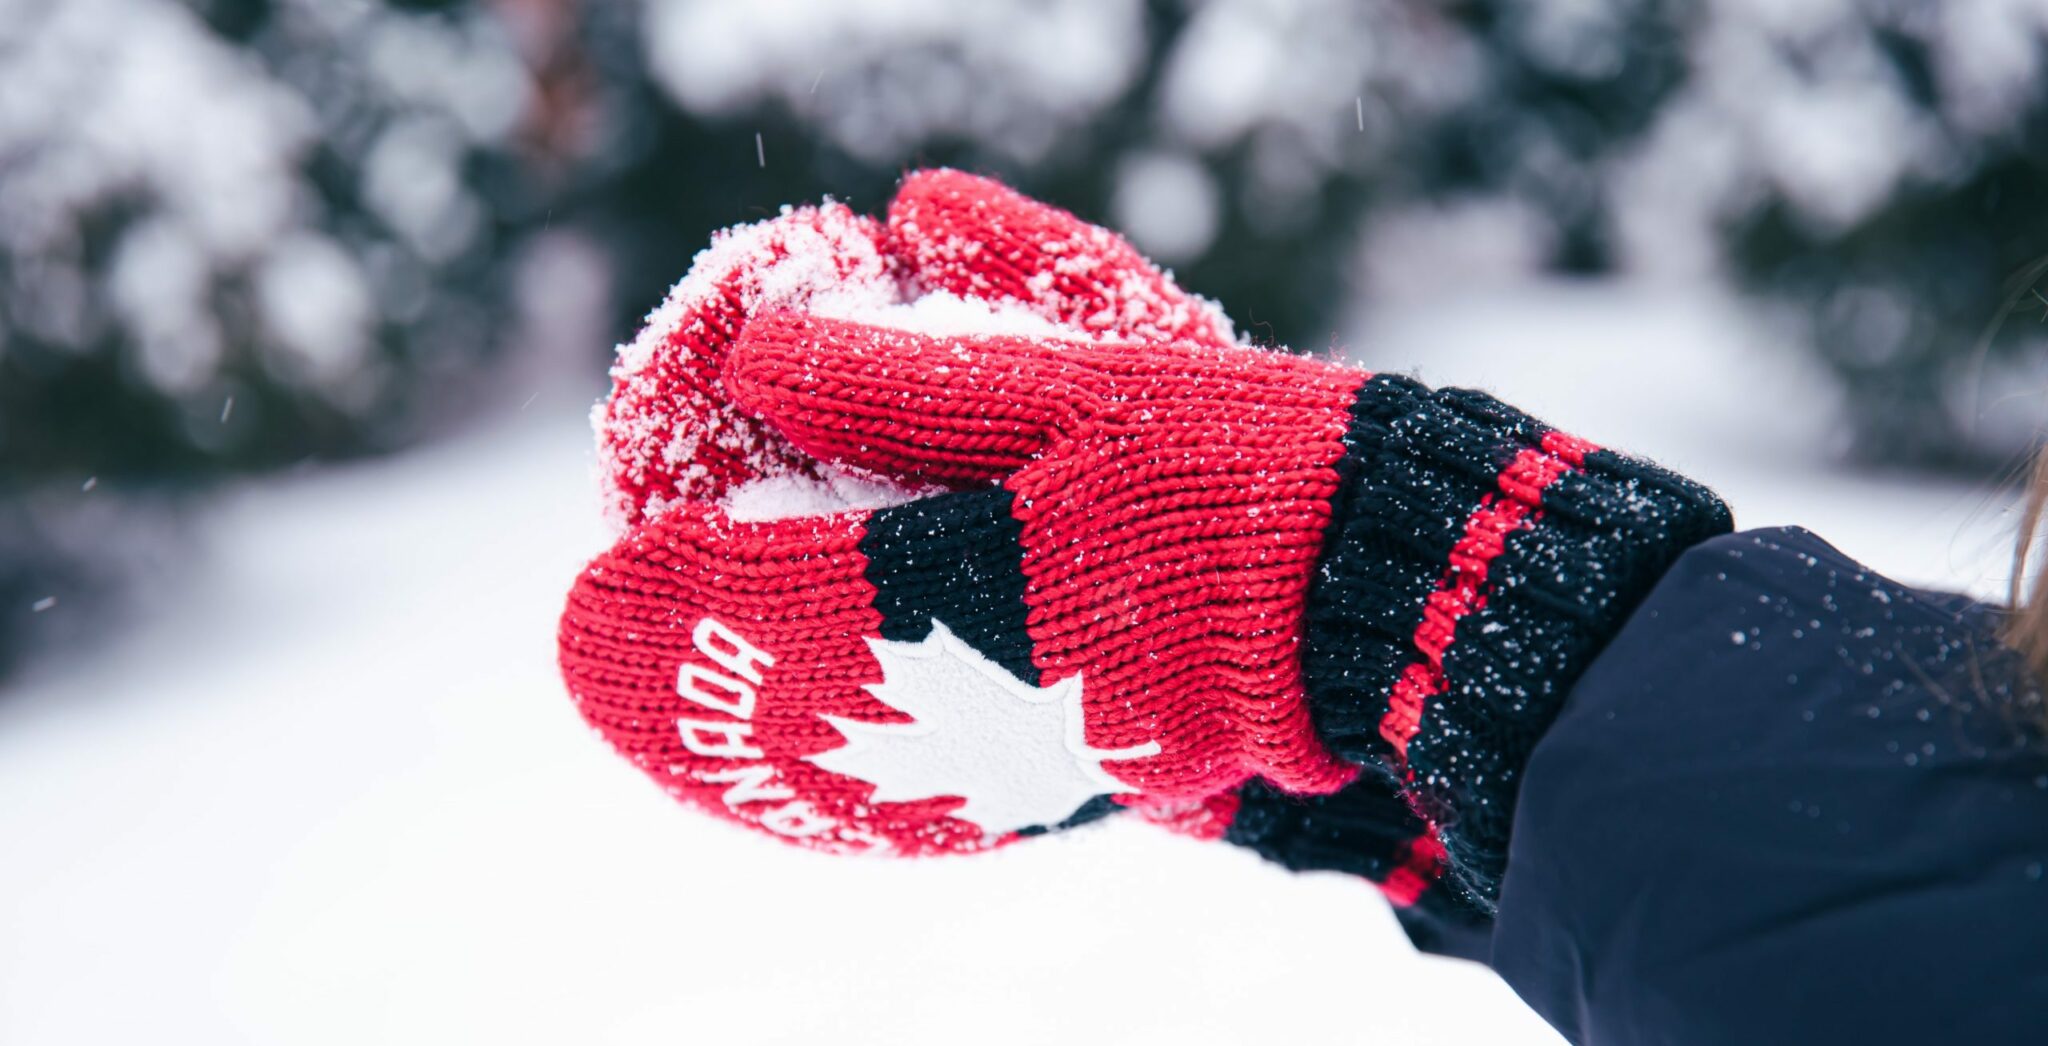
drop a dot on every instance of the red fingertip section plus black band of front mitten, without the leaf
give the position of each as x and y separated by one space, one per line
810 595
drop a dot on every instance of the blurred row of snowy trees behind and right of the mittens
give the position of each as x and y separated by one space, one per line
1875 165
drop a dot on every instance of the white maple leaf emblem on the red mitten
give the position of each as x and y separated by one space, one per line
1015 752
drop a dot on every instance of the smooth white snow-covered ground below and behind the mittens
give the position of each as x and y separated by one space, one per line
335 791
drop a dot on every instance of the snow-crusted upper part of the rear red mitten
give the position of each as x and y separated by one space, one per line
957 253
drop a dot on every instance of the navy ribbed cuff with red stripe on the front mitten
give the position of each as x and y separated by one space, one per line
1474 566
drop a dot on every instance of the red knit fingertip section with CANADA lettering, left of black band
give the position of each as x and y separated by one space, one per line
796 589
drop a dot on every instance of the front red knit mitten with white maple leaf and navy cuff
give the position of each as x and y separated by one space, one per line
1129 609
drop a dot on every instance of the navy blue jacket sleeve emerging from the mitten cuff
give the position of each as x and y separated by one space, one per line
1789 803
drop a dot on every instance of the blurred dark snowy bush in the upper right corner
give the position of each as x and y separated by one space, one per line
1885 173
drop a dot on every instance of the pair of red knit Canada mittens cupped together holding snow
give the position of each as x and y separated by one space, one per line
1103 560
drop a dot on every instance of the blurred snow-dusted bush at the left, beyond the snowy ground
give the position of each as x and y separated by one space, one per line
232 236
